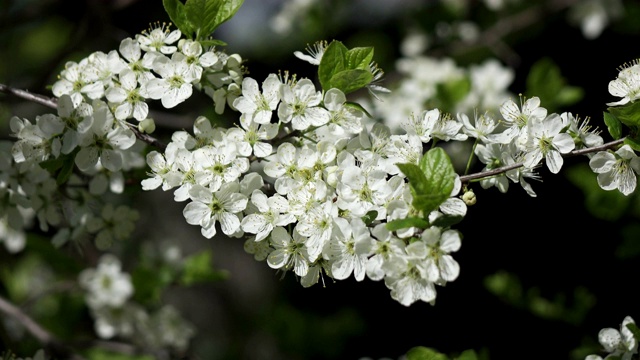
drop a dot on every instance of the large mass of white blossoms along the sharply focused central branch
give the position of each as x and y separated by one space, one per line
303 176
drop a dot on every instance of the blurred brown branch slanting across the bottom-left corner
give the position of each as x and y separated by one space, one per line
45 338
